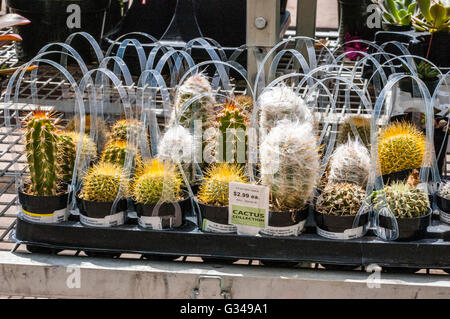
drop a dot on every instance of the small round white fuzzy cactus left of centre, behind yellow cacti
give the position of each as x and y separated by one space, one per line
177 145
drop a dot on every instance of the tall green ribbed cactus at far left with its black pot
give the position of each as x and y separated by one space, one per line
43 195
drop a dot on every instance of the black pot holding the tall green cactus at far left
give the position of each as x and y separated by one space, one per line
43 204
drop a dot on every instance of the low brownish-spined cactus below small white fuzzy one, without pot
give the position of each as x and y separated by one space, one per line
341 199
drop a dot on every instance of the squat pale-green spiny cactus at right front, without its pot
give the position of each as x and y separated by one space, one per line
403 200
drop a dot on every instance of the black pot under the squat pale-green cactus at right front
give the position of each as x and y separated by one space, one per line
408 228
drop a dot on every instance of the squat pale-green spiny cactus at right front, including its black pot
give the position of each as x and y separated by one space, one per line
408 204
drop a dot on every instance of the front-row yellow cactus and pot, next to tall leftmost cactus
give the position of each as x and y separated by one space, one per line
100 189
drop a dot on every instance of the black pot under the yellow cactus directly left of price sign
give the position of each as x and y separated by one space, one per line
215 219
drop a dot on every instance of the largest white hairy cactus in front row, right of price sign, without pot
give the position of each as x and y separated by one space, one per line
290 164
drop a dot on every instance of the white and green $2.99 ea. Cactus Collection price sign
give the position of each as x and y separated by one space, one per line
248 207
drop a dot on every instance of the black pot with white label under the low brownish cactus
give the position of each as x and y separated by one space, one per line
342 225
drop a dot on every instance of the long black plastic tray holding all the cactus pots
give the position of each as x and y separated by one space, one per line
431 252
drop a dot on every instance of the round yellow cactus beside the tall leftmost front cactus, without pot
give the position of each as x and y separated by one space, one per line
102 183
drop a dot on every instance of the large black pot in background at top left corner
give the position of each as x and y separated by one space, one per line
49 23
